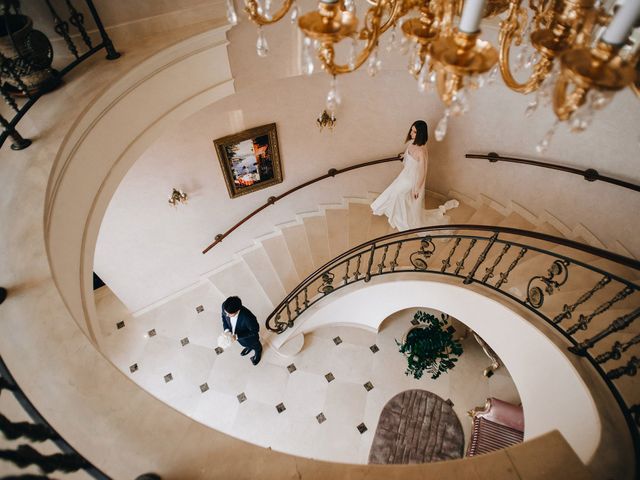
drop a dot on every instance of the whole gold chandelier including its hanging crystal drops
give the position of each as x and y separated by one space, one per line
576 53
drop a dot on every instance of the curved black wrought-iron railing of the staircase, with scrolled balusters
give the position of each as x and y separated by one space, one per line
533 269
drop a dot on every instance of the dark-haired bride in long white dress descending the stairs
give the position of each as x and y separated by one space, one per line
402 201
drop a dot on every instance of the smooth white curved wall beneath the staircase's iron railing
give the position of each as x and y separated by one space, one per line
540 370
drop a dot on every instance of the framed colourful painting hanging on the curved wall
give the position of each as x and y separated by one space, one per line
250 160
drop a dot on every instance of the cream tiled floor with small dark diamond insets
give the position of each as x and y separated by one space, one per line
310 405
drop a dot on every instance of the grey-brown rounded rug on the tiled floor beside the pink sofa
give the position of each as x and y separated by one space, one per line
417 426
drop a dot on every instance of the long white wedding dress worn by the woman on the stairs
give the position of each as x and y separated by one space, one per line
403 211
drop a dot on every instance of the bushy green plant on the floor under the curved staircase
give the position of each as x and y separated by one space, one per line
430 346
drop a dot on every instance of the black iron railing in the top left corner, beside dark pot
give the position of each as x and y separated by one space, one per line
26 55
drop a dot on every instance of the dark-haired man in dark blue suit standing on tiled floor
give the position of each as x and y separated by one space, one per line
239 321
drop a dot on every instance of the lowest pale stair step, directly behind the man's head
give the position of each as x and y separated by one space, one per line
237 279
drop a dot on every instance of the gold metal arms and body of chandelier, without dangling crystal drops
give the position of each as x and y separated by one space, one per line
561 34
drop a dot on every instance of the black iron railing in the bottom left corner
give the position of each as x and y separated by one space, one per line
38 430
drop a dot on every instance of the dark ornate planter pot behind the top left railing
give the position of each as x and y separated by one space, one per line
31 54
